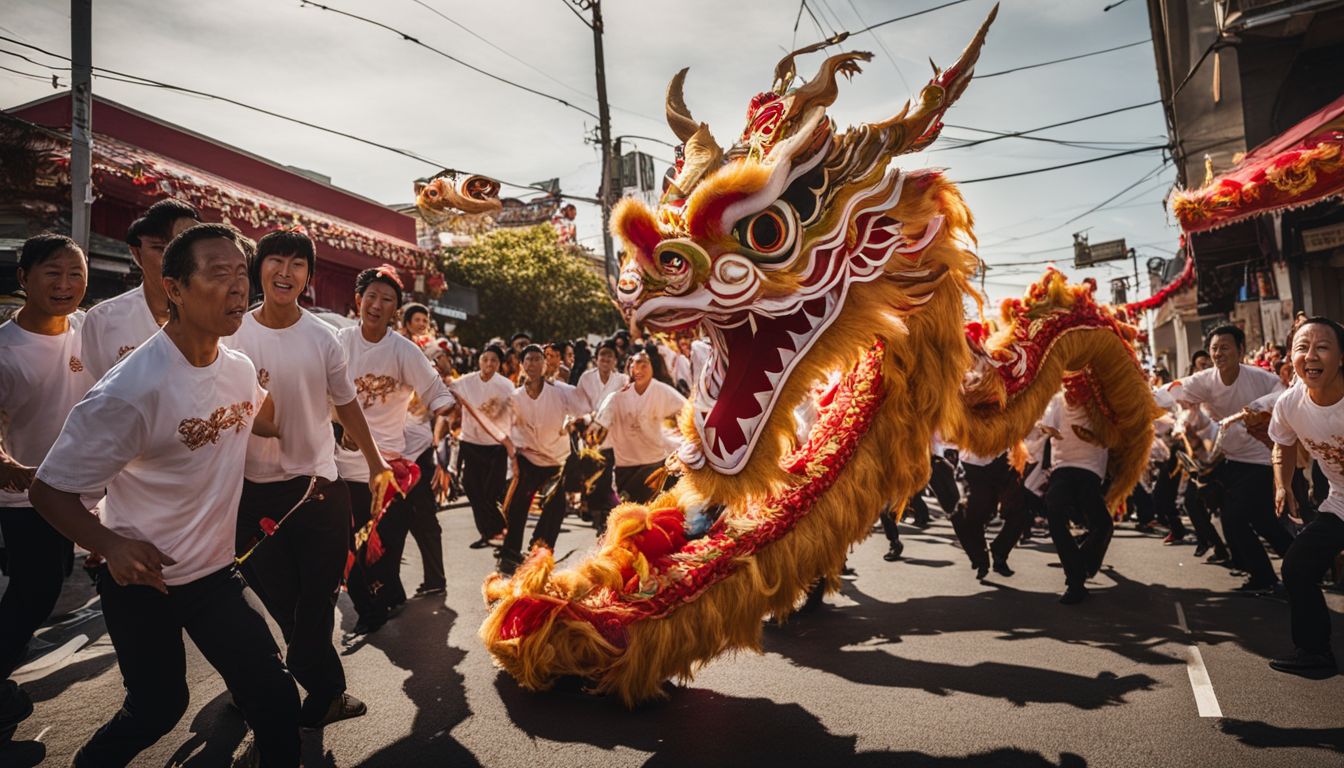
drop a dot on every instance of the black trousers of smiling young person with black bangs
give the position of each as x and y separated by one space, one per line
298 575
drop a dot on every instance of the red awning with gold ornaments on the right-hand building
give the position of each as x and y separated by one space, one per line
1303 166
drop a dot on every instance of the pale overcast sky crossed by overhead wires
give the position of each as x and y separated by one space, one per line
345 75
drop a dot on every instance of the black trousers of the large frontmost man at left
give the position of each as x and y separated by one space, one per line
146 629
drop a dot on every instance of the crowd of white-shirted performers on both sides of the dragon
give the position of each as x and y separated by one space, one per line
230 442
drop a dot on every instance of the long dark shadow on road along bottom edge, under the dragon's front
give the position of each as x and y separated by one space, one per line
697 727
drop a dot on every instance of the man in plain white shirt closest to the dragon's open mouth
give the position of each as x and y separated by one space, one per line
635 418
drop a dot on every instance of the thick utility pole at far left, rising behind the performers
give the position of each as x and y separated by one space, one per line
81 120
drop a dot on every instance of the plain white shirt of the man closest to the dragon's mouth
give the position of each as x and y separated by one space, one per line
636 423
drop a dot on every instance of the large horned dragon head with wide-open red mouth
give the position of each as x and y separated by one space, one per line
764 247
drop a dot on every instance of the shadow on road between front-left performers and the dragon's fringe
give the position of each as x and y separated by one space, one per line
417 641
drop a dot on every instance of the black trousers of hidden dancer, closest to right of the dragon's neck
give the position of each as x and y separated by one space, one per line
997 488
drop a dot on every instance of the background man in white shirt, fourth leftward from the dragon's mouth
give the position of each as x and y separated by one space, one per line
485 455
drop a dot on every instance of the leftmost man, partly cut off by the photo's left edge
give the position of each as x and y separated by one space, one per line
41 380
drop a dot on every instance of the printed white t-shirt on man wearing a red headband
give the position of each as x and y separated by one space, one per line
386 375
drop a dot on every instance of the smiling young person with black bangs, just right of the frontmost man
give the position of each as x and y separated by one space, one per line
298 572
